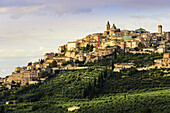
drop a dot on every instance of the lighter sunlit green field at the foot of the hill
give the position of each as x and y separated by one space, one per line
154 101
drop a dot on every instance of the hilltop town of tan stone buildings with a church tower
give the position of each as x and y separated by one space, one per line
91 48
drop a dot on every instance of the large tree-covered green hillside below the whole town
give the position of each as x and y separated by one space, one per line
94 90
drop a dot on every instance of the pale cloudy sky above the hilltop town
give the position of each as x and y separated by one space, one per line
30 28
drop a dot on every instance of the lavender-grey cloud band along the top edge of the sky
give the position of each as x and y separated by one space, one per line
60 7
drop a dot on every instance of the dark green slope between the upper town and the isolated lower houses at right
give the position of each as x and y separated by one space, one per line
140 60
